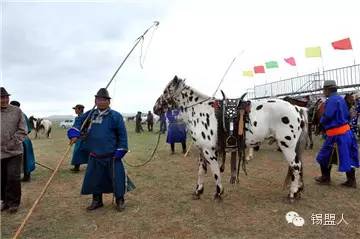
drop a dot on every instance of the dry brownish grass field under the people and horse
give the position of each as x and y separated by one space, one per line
162 206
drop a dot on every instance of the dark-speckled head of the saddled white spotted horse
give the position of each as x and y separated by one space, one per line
169 96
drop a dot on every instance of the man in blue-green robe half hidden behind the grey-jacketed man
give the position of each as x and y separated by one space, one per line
28 154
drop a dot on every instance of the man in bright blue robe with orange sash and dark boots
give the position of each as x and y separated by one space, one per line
340 146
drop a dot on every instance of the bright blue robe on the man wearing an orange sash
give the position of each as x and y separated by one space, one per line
343 147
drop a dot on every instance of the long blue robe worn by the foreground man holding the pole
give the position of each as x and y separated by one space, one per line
105 134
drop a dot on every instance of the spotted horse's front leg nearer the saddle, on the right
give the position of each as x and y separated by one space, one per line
211 159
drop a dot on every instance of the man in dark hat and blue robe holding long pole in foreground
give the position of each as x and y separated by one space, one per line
106 141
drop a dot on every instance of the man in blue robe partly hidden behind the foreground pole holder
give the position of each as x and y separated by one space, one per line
80 155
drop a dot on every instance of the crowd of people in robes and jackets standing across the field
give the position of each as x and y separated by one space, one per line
100 140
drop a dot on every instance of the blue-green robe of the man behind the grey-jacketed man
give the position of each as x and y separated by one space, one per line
28 156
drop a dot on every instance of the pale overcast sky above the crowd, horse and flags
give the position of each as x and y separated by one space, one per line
55 54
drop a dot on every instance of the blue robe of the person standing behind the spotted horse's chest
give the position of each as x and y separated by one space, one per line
176 129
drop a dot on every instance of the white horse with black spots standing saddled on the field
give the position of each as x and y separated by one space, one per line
277 118
